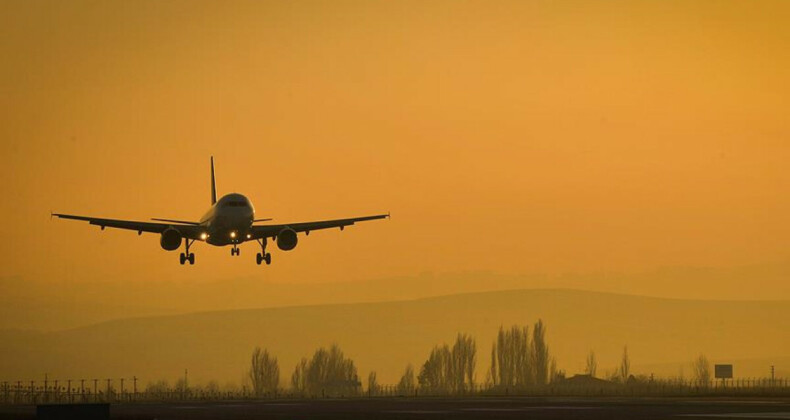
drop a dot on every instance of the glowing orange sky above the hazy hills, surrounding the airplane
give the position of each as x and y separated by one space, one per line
518 137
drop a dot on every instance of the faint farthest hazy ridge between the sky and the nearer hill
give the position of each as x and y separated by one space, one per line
55 304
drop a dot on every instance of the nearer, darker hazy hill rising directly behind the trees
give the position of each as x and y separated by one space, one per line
386 336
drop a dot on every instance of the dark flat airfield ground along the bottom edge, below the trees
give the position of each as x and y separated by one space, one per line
441 408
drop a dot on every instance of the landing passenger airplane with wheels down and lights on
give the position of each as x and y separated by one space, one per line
229 221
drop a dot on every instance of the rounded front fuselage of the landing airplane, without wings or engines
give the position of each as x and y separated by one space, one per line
229 220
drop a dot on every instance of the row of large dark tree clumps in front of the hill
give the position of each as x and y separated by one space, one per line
518 360
